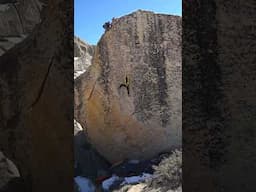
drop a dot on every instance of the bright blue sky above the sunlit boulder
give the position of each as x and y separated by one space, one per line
90 15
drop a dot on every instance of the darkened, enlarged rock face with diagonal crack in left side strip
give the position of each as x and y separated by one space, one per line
36 96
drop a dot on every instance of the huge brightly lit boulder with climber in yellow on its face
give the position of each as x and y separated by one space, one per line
130 100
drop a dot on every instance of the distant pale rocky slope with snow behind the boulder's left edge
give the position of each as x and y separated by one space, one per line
83 53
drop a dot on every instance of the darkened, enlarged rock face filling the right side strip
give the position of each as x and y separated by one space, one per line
219 95
